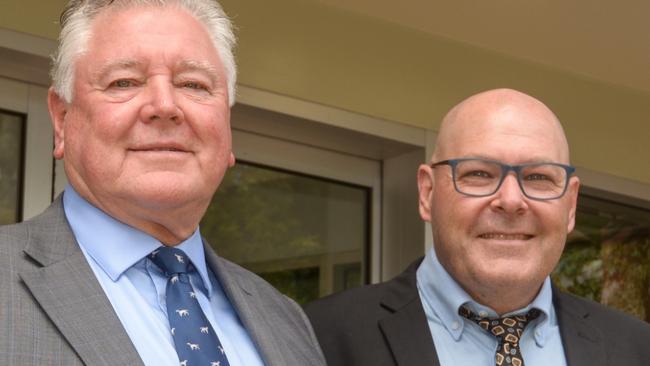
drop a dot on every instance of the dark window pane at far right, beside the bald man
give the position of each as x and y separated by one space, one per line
607 257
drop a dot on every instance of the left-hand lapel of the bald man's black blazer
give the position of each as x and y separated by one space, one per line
406 328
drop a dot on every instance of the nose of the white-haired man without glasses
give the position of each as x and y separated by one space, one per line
161 103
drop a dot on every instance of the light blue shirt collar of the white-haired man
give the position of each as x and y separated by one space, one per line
116 246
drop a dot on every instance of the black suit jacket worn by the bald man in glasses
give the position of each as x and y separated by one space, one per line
385 325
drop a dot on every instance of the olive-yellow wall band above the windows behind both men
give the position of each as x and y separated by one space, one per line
303 49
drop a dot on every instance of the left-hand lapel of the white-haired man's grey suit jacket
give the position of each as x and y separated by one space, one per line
67 290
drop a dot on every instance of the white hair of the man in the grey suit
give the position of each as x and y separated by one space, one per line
76 24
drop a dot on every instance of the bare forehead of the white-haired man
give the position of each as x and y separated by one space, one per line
116 48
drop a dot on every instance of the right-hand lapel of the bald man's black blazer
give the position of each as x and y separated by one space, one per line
583 343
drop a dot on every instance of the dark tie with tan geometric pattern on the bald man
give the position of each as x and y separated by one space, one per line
507 330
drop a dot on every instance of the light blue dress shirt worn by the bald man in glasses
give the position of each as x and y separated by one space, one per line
460 341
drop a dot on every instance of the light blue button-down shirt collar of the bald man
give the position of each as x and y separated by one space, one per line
444 297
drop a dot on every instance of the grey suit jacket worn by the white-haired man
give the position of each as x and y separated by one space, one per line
53 310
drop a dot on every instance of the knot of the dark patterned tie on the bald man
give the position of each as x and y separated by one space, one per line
504 327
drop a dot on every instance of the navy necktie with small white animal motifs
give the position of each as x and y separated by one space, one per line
195 340
